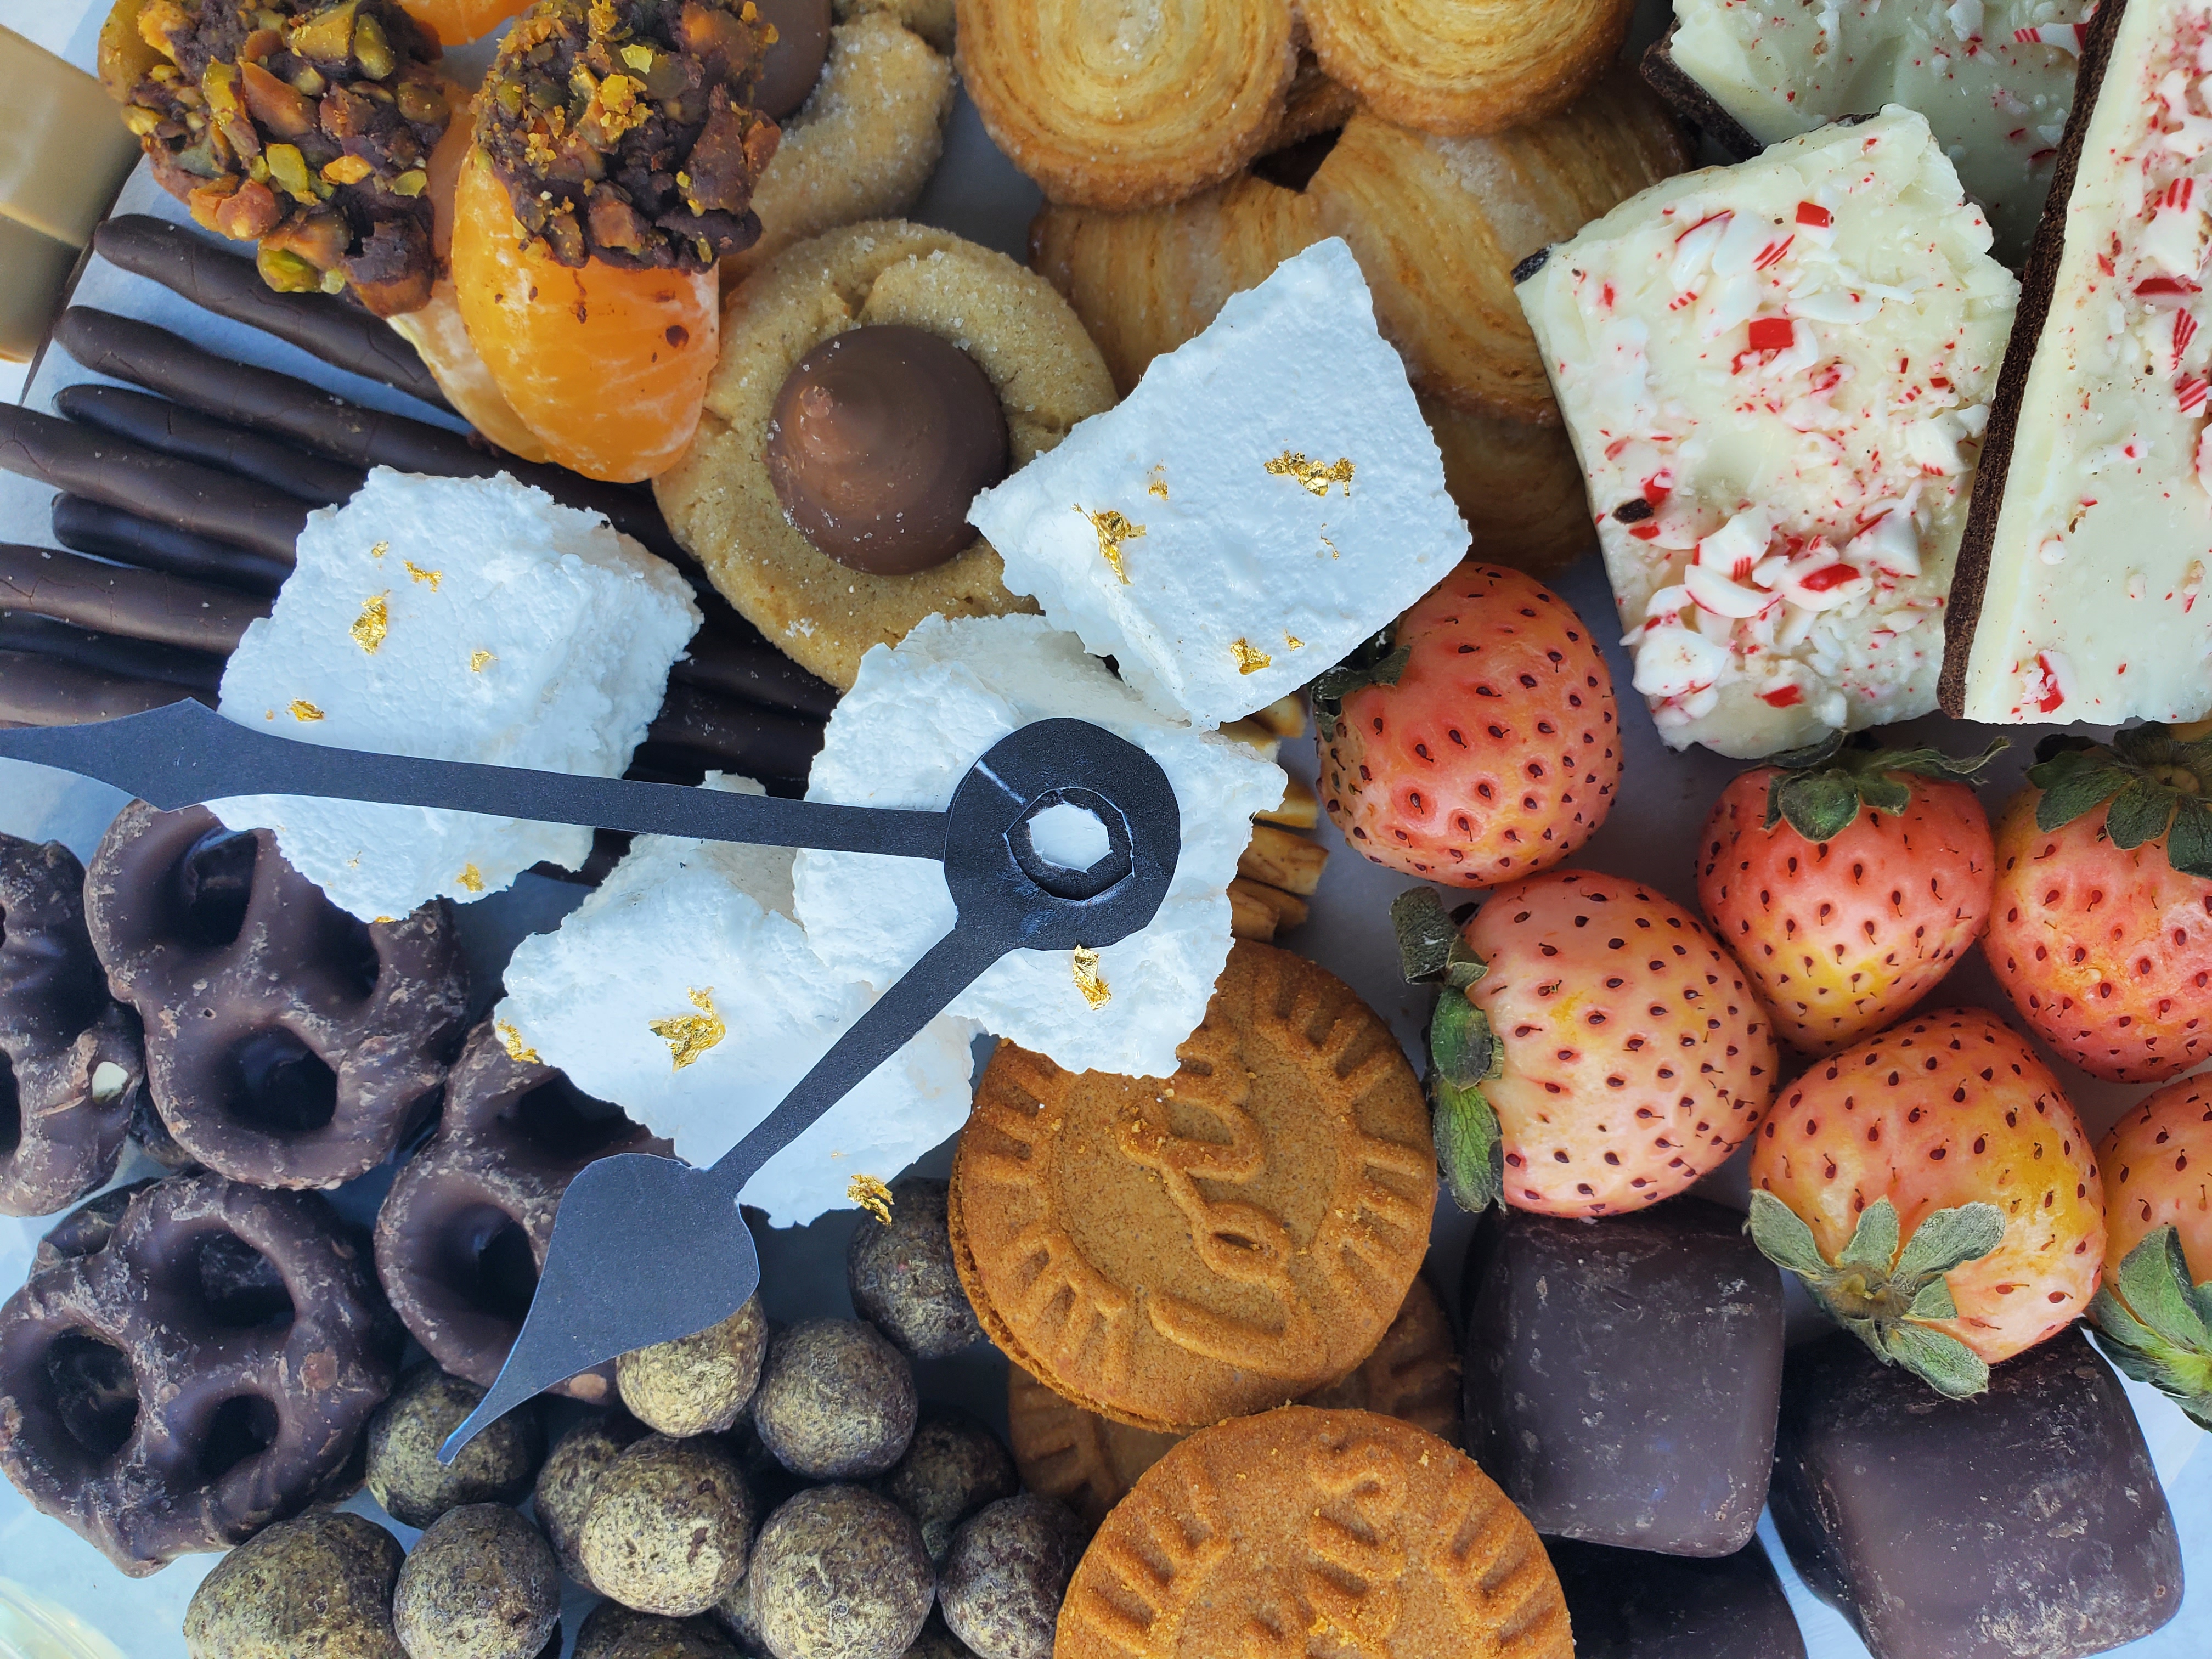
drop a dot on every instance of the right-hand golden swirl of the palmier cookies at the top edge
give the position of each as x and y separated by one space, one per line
1465 65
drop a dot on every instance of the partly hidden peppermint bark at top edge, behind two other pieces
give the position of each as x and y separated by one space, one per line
1994 81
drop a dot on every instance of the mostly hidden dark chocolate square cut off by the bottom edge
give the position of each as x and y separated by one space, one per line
1638 1605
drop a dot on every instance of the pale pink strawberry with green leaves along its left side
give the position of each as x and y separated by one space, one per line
1594 1050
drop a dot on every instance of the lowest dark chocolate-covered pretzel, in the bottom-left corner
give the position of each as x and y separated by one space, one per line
182 1375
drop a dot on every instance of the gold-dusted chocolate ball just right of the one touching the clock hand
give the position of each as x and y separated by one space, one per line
837 1401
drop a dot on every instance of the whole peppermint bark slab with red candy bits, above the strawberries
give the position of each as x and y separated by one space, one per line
1777 377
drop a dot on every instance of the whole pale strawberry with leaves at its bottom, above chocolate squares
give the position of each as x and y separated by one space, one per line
1952 1136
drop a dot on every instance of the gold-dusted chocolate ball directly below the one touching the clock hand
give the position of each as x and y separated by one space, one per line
669 1527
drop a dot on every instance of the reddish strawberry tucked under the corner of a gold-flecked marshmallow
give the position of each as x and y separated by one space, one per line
1474 742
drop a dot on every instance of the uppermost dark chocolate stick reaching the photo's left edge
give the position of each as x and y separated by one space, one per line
143 481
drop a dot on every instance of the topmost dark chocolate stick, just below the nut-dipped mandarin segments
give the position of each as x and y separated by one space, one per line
229 286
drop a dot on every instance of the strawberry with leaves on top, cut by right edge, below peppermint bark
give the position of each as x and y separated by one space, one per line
2103 924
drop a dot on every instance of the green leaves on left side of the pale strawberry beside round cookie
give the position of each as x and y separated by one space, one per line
1463 1050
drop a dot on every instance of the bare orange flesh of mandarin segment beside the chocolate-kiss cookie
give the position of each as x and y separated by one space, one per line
607 366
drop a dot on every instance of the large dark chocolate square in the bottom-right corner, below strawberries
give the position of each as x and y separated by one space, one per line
2018 1525
